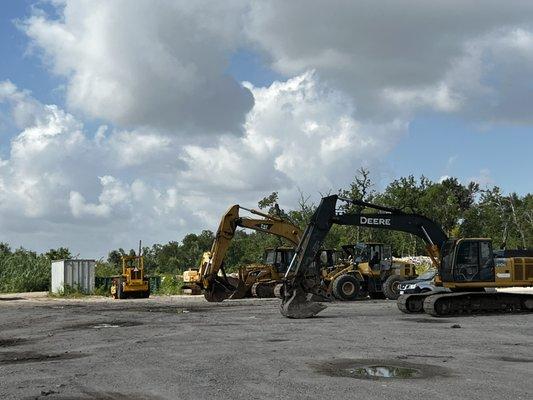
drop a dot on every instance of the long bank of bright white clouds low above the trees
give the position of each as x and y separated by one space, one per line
300 134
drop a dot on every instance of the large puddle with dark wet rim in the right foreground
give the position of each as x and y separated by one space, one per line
379 369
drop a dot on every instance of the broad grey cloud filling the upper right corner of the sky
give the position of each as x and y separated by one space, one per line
400 57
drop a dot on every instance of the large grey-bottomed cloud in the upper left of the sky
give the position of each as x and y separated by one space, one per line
161 65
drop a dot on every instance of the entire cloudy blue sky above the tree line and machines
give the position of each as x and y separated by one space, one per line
124 120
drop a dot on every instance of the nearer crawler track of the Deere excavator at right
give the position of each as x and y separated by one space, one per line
449 304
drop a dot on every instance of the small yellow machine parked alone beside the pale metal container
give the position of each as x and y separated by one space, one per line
132 283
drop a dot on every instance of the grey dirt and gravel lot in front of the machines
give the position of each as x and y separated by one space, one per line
182 347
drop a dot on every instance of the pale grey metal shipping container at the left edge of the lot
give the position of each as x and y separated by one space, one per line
74 274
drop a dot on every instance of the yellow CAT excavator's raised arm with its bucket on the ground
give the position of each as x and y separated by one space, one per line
218 288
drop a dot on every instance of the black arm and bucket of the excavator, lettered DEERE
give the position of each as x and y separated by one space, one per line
303 282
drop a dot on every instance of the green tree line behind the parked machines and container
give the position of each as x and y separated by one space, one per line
463 210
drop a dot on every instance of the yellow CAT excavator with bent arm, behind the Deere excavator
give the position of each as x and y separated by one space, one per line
258 280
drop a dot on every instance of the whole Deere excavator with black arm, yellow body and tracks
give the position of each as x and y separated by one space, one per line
466 266
